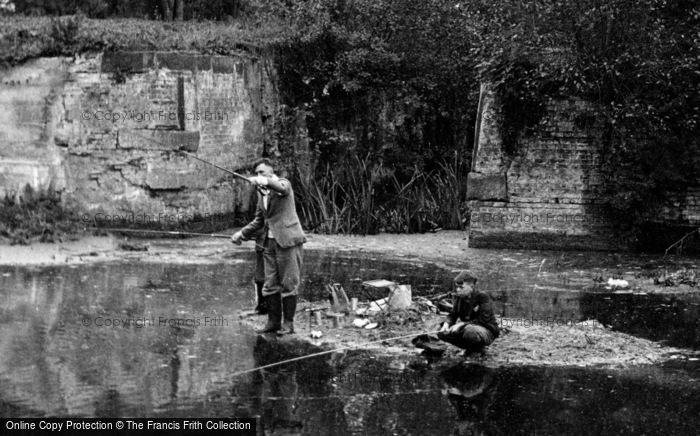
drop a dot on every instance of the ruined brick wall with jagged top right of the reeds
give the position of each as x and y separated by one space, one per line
547 194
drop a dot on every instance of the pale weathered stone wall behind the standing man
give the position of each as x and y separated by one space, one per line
103 128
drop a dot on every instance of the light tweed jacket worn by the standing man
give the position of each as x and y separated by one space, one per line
280 216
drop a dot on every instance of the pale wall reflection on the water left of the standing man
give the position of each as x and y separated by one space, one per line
98 341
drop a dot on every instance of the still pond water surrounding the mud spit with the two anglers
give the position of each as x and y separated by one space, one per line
151 339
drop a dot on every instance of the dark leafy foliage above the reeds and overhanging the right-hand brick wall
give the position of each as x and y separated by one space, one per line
398 80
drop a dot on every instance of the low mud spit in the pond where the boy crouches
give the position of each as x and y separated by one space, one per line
521 343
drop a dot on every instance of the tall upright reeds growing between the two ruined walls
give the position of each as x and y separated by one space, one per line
364 197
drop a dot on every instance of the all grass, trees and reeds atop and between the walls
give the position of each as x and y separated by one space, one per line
388 91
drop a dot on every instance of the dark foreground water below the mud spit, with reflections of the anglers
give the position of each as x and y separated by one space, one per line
369 396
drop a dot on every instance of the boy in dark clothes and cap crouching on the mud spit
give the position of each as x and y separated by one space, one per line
471 324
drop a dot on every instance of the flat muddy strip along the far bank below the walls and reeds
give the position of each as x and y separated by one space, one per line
527 270
